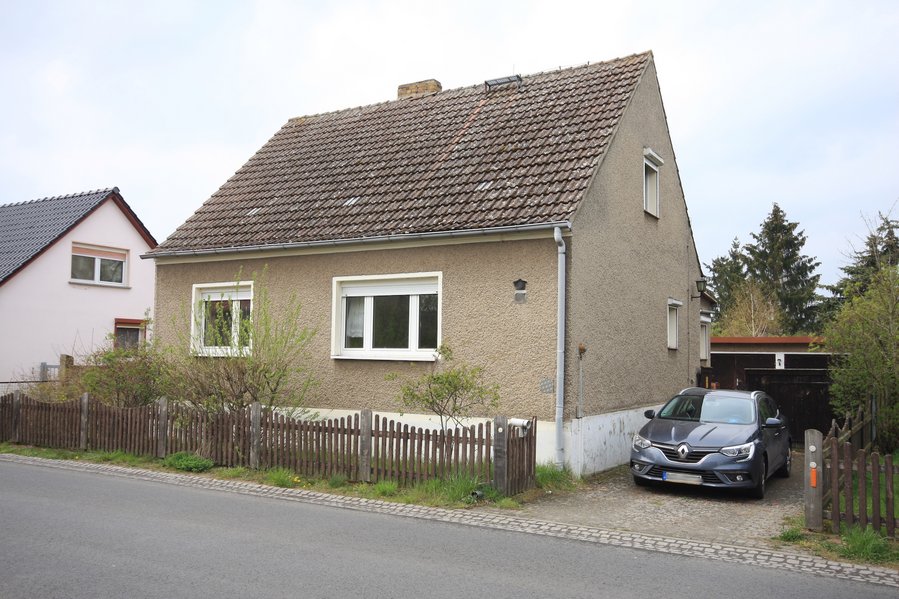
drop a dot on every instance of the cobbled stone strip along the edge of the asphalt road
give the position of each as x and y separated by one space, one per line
805 564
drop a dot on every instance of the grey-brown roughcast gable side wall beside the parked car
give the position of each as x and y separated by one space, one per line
625 264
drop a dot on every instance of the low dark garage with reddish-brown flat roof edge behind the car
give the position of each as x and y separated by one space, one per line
792 370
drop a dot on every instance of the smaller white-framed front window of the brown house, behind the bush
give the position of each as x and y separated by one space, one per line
220 325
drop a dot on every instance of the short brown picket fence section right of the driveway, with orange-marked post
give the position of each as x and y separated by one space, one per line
839 469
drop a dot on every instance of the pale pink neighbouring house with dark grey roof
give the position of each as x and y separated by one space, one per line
69 277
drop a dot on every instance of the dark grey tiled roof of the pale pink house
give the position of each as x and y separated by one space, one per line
27 228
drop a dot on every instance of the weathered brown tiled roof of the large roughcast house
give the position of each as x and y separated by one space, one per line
466 159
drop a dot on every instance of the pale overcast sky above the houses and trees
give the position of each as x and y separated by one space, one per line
788 102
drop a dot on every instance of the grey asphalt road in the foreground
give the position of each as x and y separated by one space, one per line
79 534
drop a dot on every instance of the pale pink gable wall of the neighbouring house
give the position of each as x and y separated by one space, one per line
43 314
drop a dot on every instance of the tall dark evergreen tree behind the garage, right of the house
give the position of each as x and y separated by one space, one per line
776 262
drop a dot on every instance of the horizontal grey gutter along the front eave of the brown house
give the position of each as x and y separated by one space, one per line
361 240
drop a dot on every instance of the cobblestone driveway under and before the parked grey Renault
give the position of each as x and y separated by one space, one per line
612 501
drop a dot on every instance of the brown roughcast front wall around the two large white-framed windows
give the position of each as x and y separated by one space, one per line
480 319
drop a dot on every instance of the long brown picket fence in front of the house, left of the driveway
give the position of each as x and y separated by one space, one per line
359 447
